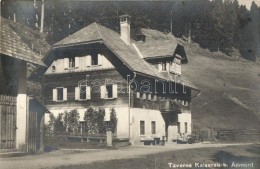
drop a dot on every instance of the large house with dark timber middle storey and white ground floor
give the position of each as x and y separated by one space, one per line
140 79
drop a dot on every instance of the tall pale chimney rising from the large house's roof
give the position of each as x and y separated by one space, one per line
125 28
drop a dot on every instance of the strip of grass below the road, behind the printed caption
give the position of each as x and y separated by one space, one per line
238 155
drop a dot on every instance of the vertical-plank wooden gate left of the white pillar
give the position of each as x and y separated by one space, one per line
8 122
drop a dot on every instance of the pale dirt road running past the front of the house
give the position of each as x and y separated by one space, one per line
72 157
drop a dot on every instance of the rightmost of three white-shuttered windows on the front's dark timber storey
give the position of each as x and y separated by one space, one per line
108 91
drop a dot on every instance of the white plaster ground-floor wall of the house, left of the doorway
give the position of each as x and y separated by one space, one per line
136 115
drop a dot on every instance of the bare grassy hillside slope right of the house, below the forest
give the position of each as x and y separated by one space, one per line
230 89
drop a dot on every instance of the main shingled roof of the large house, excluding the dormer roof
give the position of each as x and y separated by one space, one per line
127 53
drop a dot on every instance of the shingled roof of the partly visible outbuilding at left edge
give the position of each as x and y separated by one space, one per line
12 45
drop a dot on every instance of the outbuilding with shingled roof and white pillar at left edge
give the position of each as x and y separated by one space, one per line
21 116
